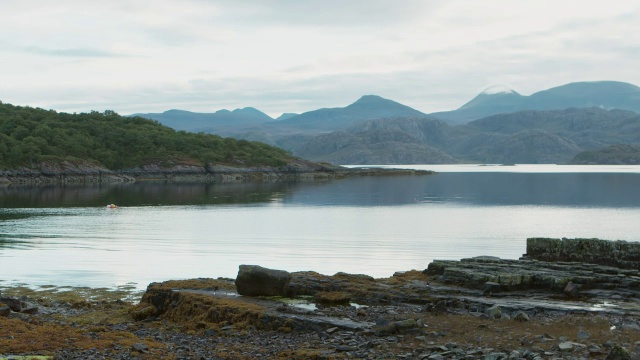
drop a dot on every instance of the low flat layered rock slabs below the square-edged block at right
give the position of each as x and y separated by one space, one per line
528 284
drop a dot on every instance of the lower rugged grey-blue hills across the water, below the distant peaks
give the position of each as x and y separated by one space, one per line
521 137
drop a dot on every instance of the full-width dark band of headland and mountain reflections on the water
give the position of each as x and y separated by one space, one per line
481 188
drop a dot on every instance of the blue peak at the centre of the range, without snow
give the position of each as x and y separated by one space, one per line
367 107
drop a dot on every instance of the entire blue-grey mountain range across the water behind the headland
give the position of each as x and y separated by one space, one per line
497 126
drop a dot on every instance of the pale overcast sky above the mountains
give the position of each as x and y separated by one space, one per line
138 56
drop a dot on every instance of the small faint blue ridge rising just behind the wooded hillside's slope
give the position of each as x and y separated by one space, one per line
196 122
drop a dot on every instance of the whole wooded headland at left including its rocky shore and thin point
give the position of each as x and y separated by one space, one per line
46 147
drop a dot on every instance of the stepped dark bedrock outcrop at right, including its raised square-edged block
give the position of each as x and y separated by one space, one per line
549 264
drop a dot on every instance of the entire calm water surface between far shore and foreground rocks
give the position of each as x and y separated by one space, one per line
64 235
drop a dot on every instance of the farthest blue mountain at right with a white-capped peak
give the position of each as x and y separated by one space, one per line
602 94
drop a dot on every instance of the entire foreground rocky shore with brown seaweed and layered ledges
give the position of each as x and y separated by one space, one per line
550 304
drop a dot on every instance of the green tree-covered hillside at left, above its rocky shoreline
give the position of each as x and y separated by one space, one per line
29 136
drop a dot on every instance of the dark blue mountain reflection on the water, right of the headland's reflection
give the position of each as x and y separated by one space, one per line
553 189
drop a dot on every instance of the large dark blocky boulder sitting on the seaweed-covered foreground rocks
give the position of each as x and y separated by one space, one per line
254 280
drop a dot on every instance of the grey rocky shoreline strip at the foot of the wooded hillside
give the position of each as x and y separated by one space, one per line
66 172
